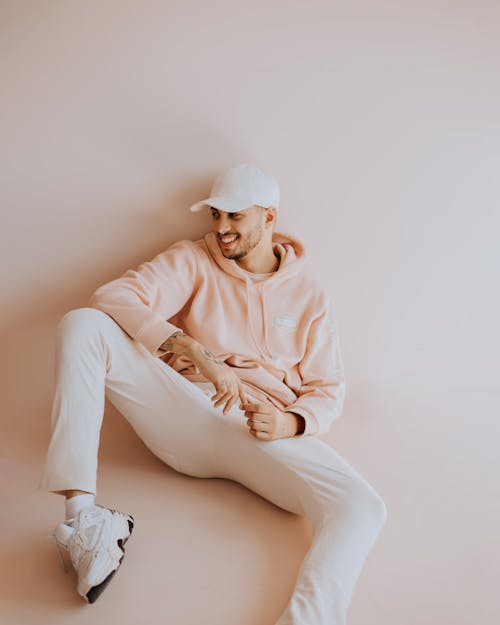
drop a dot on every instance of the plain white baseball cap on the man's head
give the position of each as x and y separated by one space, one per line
240 187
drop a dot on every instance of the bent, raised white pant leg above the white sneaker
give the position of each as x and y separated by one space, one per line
94 359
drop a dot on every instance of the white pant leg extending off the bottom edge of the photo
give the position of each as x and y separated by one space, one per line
306 476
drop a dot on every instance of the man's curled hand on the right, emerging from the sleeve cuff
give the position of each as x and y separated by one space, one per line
268 423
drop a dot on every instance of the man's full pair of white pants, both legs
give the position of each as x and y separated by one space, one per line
176 419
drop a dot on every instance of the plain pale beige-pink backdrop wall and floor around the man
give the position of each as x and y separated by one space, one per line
381 121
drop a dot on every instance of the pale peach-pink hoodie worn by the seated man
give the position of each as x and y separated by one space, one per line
278 334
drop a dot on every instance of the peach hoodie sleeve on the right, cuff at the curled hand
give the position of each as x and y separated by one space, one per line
321 396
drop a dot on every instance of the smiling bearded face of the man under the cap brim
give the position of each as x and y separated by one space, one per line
247 225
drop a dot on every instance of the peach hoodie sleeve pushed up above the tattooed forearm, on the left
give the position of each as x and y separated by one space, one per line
142 300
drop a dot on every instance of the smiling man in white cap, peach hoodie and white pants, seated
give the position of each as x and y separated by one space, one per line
223 355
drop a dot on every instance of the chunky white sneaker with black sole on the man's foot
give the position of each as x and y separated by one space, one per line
94 540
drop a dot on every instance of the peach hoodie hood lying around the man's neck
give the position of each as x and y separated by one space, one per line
289 248
